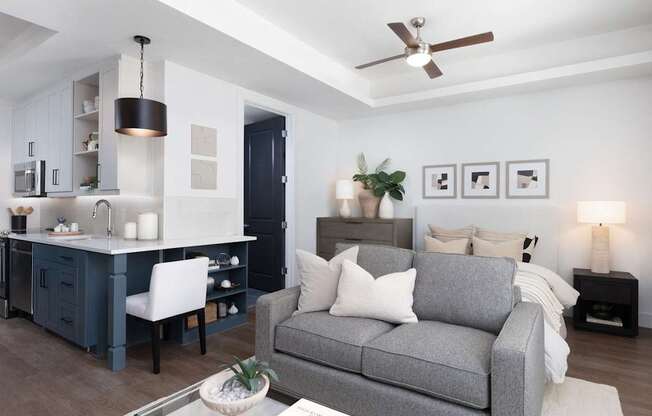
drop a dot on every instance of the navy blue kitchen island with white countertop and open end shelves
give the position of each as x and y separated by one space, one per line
80 287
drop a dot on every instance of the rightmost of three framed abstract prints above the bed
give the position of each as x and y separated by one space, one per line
528 178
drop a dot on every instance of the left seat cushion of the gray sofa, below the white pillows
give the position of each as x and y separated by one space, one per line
329 340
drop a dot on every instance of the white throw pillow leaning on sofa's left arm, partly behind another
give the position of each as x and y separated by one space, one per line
319 279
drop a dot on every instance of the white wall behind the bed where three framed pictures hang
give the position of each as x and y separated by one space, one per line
597 138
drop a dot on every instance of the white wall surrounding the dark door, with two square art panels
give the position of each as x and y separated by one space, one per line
196 98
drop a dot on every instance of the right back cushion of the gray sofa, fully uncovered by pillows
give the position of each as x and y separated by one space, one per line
464 290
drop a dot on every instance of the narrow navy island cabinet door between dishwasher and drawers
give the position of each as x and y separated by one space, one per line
45 283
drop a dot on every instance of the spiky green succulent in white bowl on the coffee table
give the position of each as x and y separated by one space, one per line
238 389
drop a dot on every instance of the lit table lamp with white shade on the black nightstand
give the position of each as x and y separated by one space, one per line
600 212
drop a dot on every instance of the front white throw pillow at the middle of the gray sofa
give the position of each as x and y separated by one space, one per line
388 298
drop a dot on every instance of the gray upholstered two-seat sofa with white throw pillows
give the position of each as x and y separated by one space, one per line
474 351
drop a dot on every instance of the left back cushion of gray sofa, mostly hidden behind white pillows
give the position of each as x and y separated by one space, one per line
380 260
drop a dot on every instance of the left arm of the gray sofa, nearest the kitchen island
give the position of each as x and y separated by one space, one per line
271 310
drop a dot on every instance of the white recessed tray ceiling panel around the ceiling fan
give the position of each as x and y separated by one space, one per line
529 34
